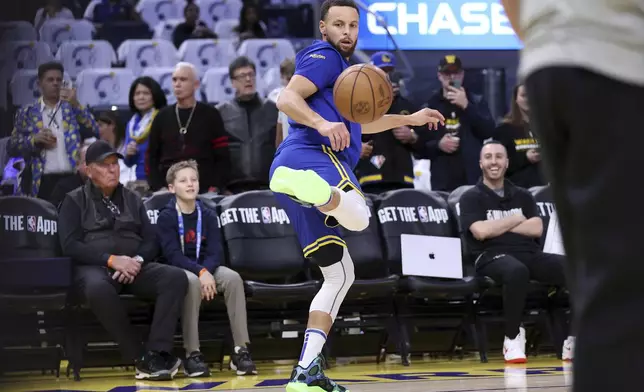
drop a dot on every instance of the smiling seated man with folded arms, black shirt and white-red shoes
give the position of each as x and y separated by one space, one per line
502 227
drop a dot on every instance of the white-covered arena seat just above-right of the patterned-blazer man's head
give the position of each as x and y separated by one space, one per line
79 55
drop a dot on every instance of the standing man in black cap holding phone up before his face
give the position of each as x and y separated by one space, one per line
454 149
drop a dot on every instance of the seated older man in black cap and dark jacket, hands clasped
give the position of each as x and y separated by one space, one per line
104 229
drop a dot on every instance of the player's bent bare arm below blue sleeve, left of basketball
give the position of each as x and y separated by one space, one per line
292 101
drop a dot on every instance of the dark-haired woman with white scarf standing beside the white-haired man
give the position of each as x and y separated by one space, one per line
146 98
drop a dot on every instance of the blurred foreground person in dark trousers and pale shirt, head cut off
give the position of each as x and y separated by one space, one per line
583 64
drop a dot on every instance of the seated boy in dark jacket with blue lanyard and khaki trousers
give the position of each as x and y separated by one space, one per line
190 239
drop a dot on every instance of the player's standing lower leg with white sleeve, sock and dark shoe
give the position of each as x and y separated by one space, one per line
308 375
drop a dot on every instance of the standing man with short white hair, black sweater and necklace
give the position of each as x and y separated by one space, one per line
188 130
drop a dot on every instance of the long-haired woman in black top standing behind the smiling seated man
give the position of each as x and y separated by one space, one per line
522 145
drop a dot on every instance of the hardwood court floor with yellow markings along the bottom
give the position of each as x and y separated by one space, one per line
468 375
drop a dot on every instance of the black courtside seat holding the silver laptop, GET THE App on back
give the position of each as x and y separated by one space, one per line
409 211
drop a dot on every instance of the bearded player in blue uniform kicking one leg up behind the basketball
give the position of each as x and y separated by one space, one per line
312 176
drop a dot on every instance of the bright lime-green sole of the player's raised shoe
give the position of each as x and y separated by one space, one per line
305 185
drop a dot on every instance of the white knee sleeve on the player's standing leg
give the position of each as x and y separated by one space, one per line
338 278
